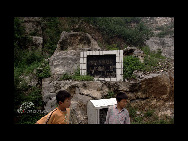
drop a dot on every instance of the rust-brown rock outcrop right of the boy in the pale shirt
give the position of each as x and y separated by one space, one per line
155 91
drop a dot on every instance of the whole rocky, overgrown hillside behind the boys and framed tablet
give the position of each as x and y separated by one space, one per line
48 48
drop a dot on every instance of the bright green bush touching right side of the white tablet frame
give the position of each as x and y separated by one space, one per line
130 64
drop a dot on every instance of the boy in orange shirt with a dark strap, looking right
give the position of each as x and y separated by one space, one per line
61 114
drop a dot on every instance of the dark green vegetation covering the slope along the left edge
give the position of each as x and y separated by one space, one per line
29 61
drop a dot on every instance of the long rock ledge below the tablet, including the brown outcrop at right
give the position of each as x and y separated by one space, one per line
155 91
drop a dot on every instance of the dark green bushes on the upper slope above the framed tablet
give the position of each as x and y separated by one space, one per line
121 27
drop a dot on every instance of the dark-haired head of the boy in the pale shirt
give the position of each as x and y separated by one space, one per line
121 98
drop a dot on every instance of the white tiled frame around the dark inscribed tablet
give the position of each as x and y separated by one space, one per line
119 63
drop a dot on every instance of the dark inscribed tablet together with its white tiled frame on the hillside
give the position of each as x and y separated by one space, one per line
102 65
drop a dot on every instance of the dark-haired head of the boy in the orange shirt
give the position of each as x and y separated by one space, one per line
63 98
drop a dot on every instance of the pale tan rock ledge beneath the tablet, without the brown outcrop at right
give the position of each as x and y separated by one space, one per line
81 91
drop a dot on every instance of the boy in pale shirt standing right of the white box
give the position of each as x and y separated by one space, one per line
117 114
